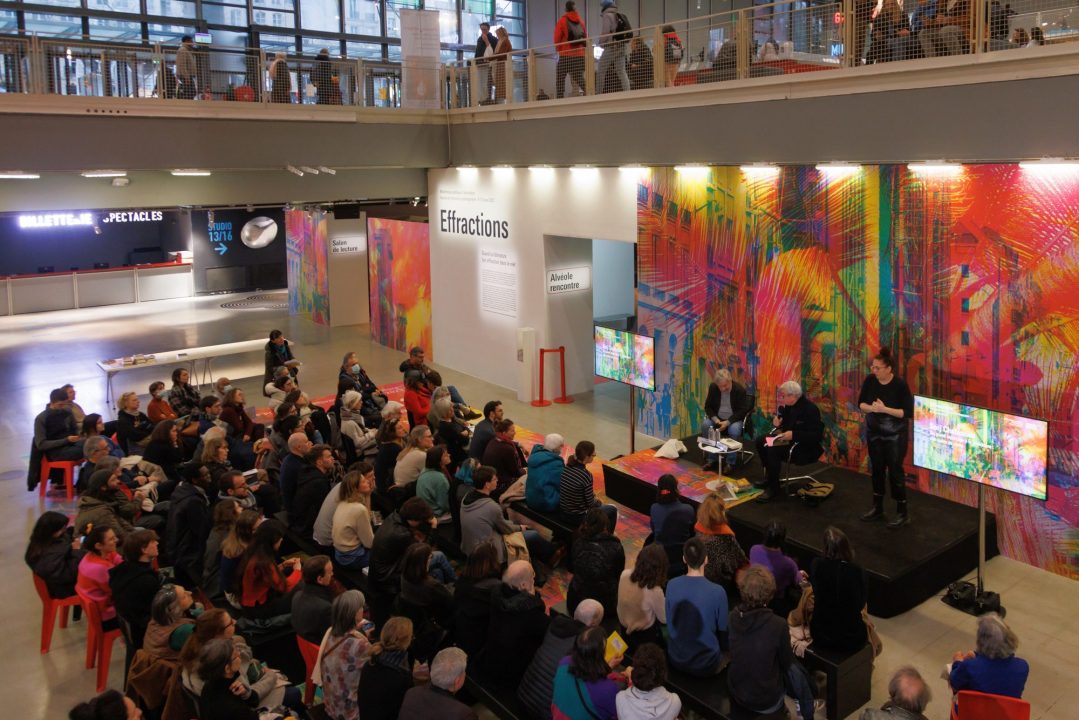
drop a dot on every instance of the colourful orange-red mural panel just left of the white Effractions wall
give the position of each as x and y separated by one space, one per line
400 262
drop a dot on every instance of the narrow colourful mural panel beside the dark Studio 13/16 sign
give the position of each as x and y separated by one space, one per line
309 287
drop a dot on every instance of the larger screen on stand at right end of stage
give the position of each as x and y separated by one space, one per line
1002 451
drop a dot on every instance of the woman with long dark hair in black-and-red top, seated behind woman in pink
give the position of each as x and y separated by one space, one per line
266 585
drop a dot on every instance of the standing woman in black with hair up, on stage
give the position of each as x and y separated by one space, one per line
889 404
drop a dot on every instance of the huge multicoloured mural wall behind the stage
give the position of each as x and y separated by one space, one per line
969 276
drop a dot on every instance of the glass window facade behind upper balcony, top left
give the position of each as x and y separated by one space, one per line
353 29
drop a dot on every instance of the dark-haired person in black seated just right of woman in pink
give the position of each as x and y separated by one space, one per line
134 583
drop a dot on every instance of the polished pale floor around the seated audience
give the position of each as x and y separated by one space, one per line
44 351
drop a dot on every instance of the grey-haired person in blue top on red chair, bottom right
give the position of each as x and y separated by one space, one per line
993 667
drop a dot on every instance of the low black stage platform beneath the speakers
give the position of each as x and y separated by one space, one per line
906 567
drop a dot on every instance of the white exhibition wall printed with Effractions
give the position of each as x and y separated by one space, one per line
489 259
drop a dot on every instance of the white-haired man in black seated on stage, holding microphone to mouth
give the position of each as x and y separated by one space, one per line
798 422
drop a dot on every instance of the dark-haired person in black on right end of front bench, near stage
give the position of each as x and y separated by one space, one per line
840 595
